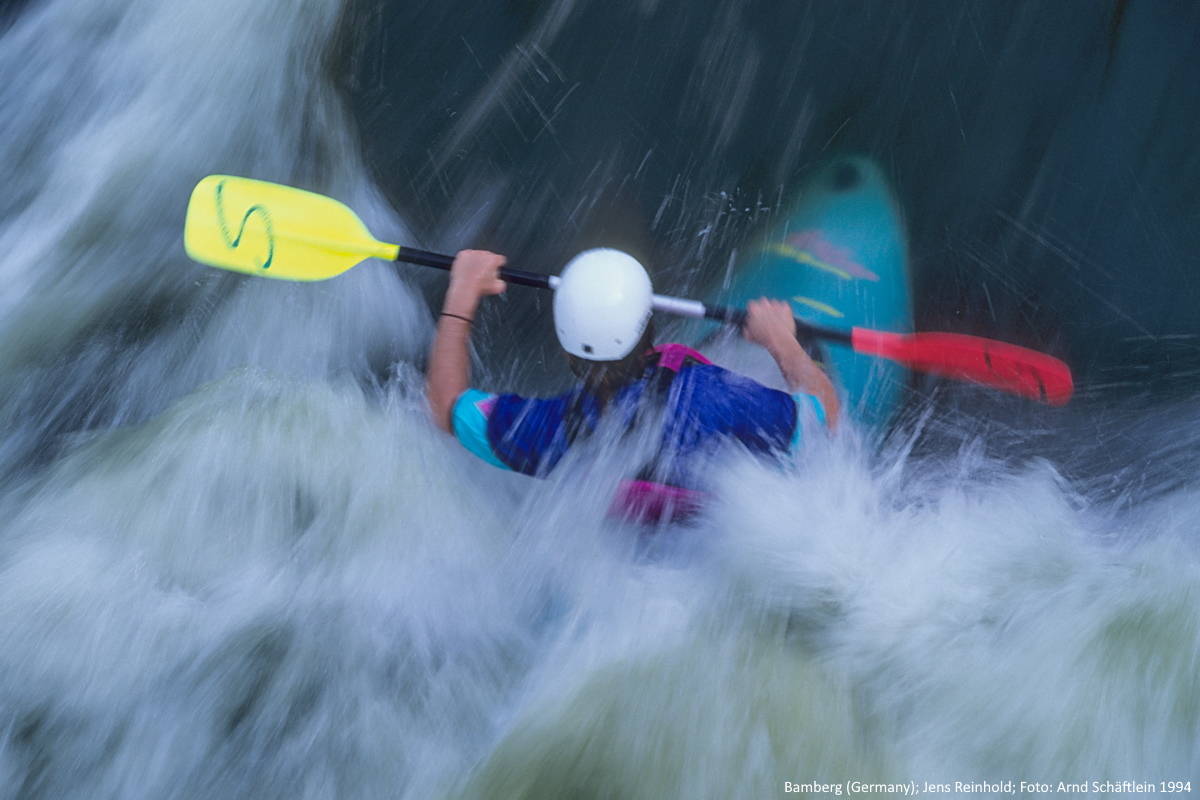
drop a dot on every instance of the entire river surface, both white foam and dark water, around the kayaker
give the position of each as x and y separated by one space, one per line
237 561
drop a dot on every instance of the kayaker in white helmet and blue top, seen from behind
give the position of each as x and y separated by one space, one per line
603 316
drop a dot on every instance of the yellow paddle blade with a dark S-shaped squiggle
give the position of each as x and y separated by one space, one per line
278 232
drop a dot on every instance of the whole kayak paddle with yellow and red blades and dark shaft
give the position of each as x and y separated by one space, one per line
279 232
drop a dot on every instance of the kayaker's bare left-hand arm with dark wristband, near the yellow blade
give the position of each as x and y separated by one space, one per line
473 276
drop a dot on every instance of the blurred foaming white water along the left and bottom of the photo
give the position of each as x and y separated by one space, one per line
238 561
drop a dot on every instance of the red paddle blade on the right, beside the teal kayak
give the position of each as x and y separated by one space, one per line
999 365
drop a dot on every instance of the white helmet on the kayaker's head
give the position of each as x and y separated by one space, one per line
602 305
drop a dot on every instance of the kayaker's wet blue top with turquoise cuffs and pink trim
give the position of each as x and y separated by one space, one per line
704 406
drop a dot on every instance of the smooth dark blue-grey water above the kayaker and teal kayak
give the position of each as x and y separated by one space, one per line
1045 152
